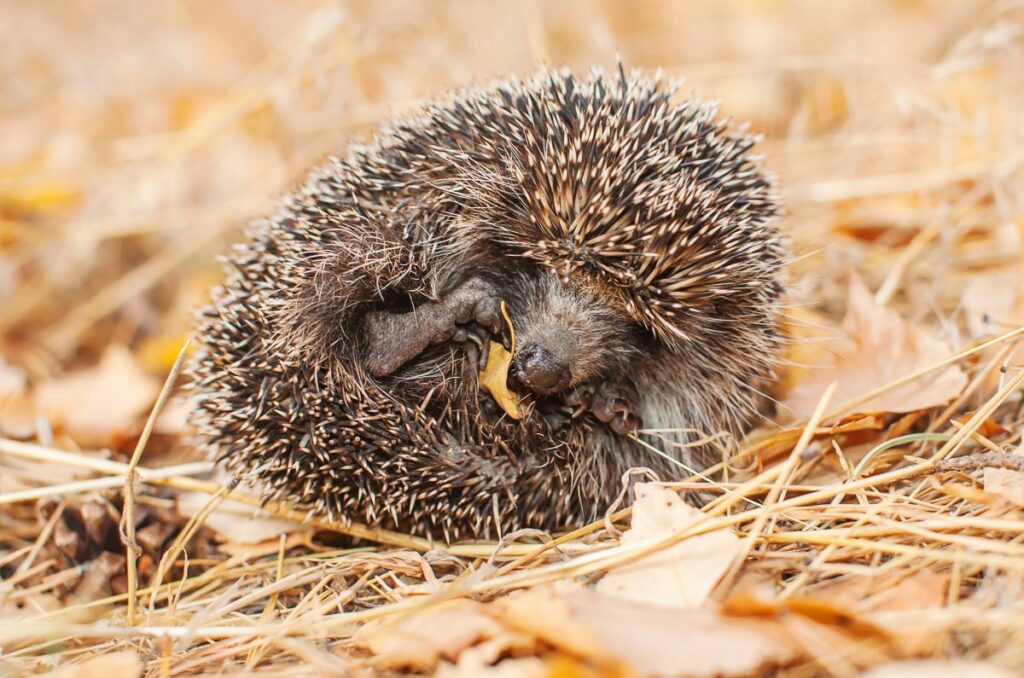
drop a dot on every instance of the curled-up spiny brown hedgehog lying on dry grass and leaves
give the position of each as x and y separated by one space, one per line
626 237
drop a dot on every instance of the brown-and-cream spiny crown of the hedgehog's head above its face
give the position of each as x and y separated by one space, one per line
614 180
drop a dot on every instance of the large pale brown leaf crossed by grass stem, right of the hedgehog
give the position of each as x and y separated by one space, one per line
877 349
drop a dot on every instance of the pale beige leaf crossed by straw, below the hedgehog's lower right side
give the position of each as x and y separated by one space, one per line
682 576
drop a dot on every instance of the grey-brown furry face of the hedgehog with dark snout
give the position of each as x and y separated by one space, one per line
568 334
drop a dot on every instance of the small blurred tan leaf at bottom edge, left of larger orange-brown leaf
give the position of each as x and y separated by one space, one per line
420 642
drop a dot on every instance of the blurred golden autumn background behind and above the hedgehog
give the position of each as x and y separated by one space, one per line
137 141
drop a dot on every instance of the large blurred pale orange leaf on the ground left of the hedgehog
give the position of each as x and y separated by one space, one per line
100 403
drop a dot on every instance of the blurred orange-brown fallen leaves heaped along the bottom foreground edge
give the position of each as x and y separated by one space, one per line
608 634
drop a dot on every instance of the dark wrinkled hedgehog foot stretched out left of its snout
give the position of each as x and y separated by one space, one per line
467 314
